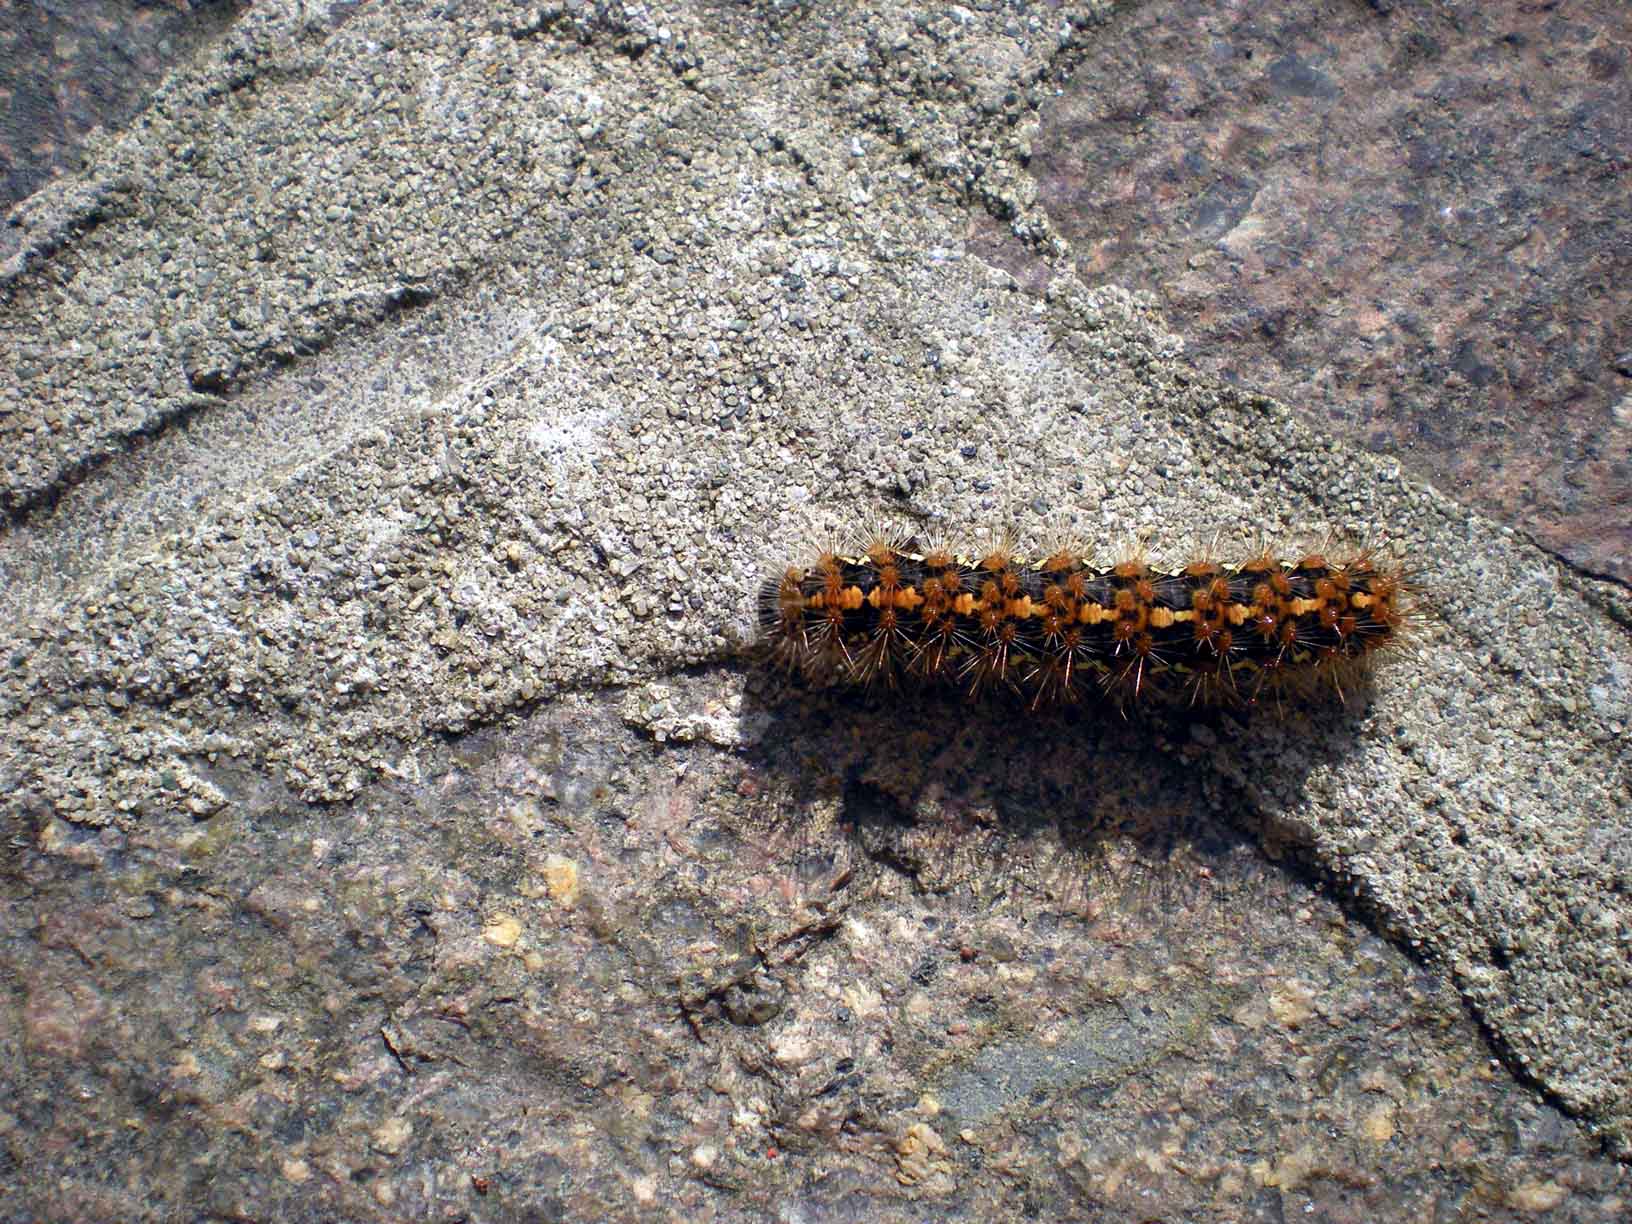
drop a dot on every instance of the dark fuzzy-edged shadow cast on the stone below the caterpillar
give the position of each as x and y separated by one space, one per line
1081 805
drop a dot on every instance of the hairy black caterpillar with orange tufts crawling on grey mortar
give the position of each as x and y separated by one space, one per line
1062 629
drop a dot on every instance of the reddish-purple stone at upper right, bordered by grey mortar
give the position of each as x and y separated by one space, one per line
1406 220
